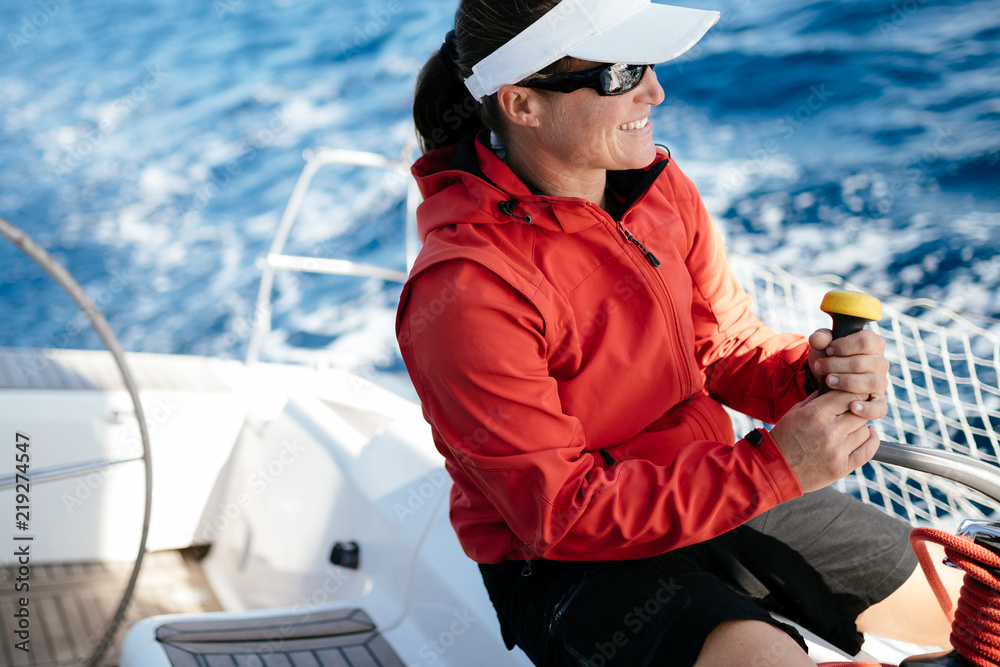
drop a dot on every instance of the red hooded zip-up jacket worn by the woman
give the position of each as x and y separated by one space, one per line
573 387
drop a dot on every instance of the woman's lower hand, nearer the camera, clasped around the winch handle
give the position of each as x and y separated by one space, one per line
823 438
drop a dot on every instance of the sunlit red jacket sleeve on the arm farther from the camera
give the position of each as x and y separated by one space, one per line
746 365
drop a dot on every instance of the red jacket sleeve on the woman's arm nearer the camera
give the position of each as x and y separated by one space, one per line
476 352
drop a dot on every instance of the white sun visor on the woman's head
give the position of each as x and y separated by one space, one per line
637 32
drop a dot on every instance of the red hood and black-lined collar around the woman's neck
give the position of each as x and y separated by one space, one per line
467 182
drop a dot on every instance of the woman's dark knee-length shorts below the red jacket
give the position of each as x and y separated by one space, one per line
819 560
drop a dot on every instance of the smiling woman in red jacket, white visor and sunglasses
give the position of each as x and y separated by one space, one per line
573 330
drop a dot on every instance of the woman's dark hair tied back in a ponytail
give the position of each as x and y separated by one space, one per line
443 108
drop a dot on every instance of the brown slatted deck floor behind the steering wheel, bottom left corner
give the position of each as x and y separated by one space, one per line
71 603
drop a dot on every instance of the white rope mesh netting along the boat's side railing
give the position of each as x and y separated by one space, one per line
944 391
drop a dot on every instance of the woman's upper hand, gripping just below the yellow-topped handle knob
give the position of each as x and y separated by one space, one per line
855 364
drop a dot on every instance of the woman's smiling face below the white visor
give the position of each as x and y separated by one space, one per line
593 132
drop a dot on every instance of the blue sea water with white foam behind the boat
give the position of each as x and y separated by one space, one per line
859 138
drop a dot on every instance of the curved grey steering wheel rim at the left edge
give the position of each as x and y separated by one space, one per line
103 329
